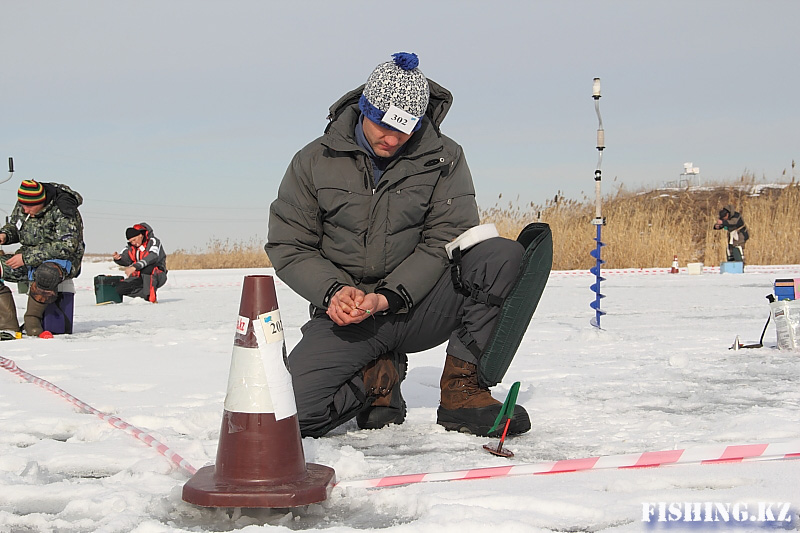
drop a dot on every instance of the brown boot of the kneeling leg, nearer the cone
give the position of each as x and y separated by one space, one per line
382 378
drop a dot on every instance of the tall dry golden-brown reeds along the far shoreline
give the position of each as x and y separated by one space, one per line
644 229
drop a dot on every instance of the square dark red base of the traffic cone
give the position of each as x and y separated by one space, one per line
206 491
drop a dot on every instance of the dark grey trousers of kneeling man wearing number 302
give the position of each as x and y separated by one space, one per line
326 363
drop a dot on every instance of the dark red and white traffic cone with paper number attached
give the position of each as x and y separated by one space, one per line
260 460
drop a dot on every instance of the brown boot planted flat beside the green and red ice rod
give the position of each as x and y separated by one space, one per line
467 407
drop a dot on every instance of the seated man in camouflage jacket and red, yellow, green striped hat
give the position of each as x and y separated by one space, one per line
48 227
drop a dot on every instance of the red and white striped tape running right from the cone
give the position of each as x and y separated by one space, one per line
698 455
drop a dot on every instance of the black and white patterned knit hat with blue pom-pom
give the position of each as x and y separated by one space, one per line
398 82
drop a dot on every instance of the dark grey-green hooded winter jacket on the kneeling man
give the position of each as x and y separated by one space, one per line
330 226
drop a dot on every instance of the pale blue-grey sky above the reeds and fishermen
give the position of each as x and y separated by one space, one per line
185 114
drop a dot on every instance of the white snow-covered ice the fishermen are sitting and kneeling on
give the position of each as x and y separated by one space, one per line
658 376
